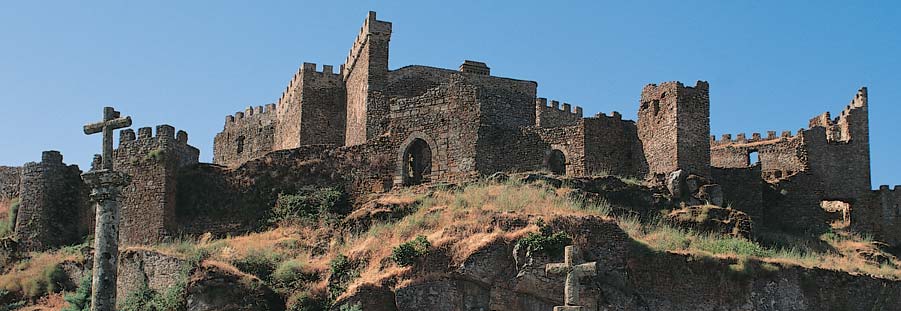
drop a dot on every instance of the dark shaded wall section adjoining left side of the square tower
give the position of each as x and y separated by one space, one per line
612 146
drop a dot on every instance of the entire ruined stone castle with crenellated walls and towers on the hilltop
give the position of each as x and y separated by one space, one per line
370 129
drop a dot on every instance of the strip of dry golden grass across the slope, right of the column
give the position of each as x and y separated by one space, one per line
458 223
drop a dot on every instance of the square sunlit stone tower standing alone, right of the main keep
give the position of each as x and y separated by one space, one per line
674 127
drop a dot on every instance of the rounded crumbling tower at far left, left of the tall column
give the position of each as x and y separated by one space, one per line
53 204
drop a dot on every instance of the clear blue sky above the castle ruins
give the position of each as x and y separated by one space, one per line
772 65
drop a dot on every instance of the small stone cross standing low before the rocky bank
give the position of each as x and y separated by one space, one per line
574 270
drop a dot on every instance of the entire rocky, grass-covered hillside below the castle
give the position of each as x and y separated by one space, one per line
484 246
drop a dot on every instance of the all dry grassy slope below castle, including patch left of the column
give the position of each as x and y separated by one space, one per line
298 260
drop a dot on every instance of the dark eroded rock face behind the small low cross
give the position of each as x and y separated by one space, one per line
500 276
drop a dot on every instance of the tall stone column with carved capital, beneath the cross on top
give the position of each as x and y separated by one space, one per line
105 188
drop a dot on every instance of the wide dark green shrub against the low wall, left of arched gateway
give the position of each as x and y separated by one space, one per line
309 203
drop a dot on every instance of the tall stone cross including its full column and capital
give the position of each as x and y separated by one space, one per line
105 187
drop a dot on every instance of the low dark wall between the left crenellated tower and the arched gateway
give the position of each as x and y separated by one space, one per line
234 200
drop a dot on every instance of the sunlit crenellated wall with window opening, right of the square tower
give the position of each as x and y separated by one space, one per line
778 156
